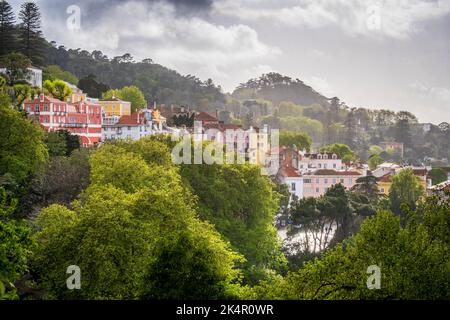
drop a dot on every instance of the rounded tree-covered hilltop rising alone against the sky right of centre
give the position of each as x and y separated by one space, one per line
276 88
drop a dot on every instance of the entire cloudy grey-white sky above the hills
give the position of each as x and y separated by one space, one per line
392 54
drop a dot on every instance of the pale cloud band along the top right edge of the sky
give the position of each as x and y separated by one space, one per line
397 19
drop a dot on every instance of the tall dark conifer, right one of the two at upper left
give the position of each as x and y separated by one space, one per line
31 40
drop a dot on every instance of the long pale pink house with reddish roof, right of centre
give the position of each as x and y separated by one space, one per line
316 184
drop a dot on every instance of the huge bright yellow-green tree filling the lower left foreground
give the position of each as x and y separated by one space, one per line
134 235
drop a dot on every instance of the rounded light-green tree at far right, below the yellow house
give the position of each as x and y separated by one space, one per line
406 189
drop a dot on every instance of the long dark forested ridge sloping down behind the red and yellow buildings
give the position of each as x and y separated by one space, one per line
157 82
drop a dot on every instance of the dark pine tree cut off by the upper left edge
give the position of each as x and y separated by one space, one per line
7 30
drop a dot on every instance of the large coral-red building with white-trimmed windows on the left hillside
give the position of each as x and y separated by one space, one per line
81 118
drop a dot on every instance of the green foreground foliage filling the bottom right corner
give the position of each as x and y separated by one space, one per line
413 260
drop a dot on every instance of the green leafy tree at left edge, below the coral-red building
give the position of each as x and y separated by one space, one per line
22 150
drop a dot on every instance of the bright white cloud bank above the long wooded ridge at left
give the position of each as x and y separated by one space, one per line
155 29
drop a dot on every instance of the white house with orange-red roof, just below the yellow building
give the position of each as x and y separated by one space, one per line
134 126
